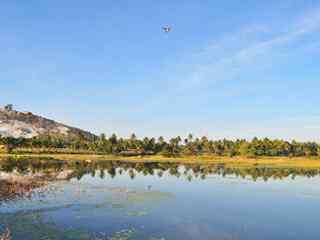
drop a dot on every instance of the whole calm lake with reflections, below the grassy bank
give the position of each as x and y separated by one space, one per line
156 201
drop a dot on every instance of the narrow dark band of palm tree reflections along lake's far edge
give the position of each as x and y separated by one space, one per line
51 169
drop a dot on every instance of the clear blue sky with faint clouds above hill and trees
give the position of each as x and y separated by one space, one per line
227 69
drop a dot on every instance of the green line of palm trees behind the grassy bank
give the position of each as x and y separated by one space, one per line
173 147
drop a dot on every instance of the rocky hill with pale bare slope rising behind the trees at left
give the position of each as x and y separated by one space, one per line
27 125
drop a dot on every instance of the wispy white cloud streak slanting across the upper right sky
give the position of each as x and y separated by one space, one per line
251 49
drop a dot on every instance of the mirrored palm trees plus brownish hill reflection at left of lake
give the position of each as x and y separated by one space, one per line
20 177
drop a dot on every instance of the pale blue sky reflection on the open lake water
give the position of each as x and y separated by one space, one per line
214 208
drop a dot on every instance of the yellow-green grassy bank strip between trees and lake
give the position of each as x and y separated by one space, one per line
279 162
